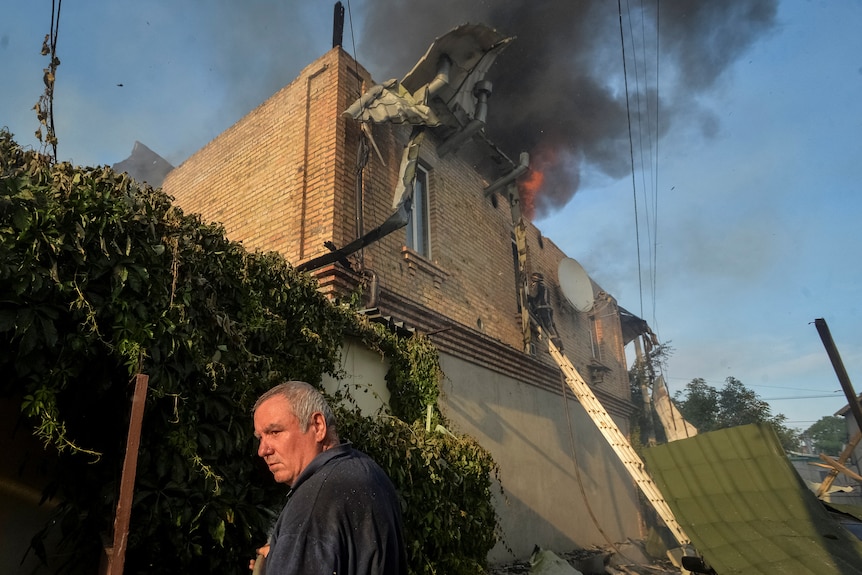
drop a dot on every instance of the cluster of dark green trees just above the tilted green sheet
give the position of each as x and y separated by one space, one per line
708 409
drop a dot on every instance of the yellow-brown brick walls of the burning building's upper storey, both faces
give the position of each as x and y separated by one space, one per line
285 178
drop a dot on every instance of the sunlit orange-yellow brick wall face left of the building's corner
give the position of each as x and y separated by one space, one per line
269 178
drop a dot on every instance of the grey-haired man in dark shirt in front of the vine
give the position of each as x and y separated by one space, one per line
342 515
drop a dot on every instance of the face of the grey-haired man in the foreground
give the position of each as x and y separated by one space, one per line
286 450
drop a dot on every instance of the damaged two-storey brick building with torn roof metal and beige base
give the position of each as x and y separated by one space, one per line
299 176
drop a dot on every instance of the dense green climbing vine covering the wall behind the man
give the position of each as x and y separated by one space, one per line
100 279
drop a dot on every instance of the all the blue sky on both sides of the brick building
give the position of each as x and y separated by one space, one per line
749 212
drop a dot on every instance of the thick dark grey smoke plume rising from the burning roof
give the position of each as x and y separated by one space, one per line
559 88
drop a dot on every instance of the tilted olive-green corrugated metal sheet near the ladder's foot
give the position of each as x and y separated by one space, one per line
746 509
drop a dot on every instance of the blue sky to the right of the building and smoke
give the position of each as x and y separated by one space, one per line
758 227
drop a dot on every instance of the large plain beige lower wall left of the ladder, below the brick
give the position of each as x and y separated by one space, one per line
530 435
